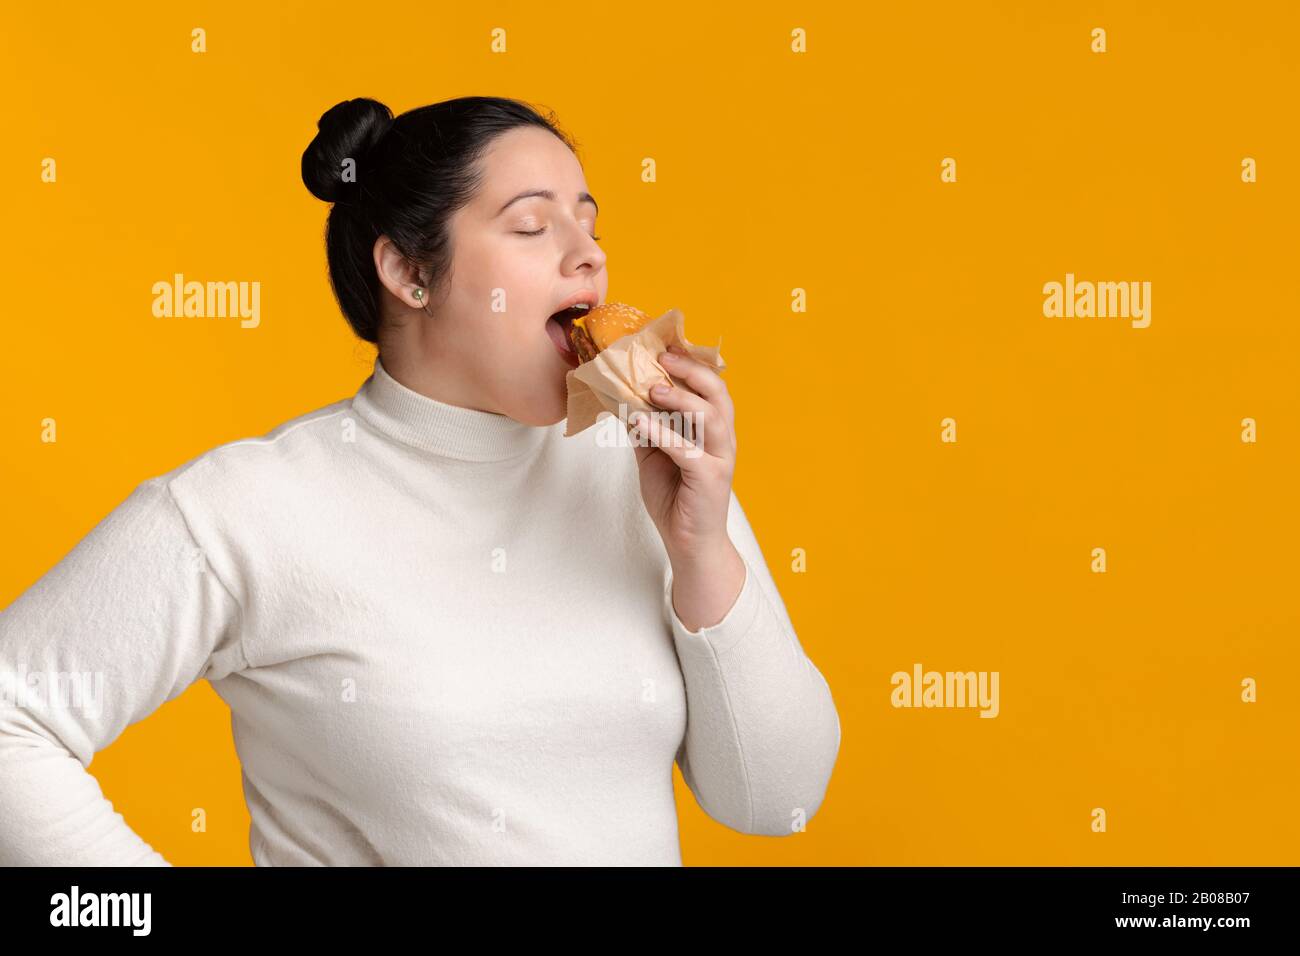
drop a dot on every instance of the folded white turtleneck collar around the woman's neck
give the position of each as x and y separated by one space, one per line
450 431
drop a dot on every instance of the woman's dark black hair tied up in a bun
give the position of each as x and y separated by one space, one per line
401 178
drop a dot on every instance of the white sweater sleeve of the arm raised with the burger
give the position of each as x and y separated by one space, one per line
762 730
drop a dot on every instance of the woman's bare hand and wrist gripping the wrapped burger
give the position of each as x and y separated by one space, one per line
686 485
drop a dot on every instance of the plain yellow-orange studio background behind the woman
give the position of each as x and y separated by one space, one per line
775 171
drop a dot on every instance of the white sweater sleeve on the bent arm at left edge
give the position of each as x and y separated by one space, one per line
123 624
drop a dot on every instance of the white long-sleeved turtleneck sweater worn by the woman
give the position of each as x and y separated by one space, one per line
447 638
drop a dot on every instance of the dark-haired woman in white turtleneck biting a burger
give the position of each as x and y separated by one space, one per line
448 634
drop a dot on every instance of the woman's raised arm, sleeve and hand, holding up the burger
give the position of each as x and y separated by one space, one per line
762 730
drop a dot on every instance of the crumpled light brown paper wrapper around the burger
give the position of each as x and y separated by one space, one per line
625 373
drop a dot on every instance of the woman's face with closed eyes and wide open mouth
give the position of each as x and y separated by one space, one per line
487 345
